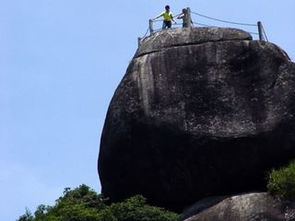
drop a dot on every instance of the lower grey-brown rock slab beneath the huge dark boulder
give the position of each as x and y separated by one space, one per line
248 207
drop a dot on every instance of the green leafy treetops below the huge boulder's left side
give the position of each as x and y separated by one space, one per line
84 204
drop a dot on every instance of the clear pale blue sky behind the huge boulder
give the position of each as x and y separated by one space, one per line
60 63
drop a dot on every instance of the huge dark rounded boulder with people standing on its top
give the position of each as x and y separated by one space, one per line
200 112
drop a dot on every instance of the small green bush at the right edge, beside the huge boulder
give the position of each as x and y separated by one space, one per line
281 182
